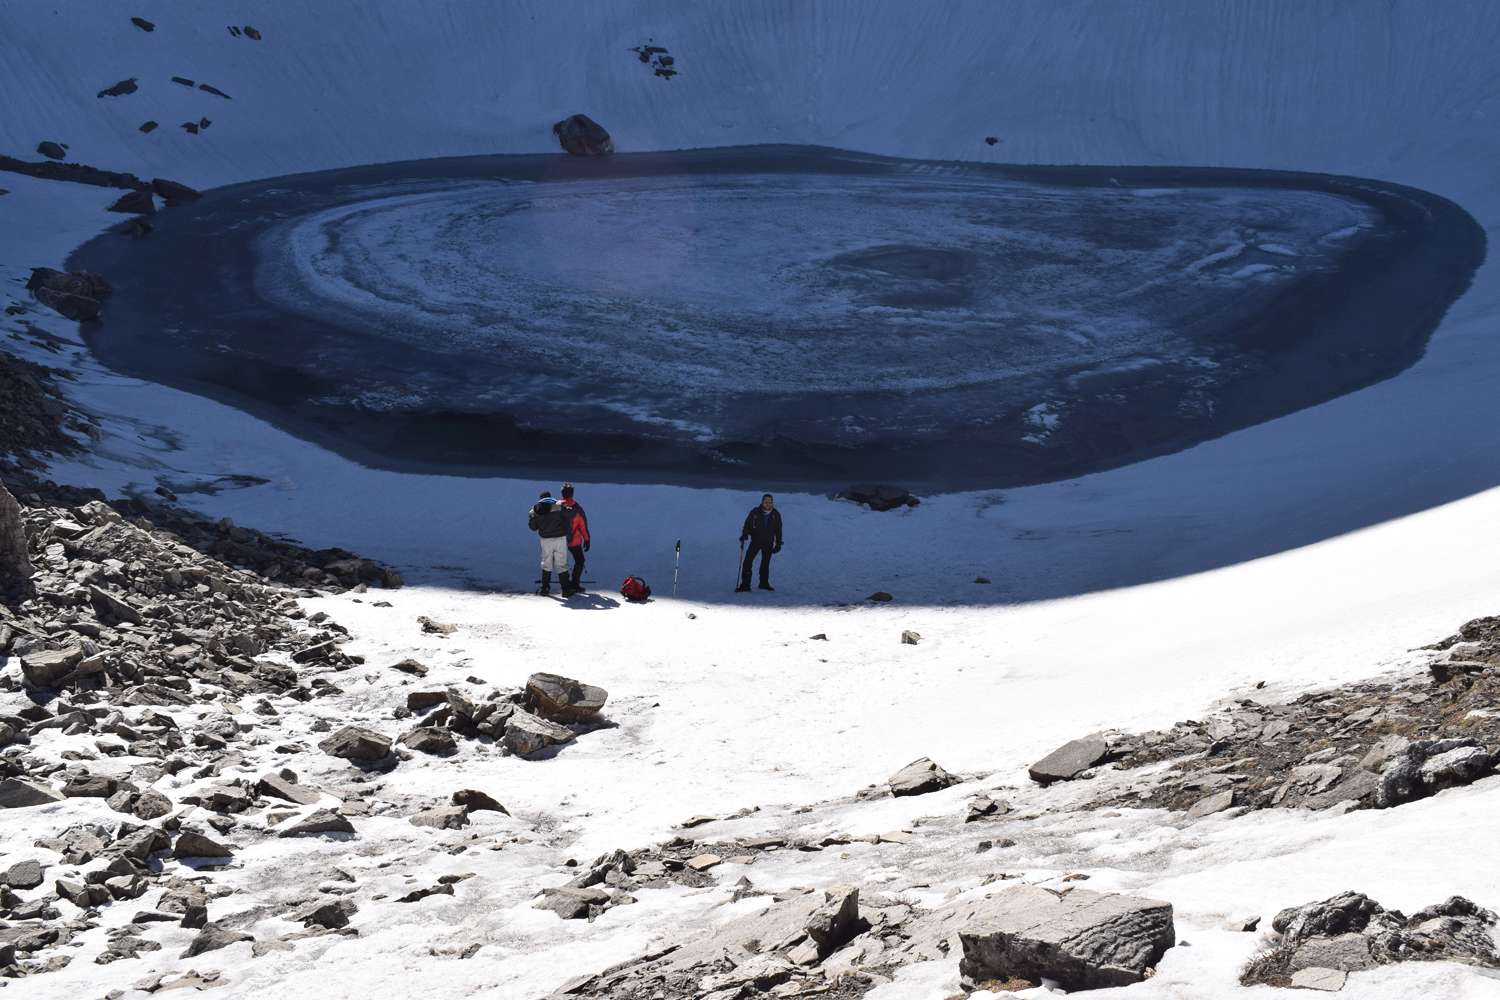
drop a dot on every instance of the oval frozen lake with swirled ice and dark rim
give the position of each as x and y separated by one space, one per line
781 314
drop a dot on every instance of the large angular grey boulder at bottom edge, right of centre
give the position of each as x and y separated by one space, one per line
1082 941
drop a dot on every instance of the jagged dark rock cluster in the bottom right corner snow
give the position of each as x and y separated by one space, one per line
1351 933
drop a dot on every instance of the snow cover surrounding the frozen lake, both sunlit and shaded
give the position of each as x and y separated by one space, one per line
1307 551
